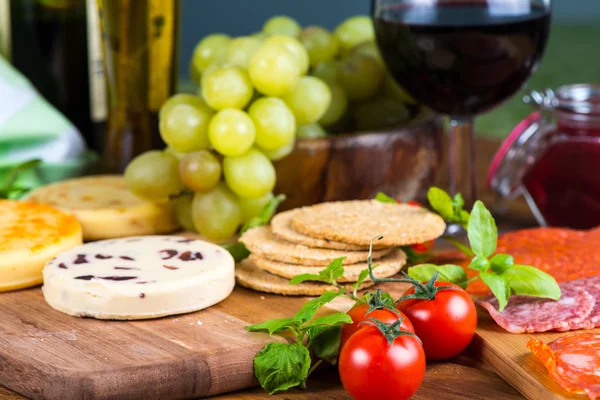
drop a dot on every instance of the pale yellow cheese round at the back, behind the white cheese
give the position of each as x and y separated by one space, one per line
106 208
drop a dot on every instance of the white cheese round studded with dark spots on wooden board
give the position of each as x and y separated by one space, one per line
138 277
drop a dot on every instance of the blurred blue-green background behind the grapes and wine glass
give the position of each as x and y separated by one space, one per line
572 55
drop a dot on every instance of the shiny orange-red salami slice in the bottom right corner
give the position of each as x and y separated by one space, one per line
572 361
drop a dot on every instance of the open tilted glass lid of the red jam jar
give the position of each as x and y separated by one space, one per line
516 154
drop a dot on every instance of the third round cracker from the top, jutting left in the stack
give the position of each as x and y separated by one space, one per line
263 242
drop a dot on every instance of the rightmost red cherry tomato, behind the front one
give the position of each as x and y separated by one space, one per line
445 324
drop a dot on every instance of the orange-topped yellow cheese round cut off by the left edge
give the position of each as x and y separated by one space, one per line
30 235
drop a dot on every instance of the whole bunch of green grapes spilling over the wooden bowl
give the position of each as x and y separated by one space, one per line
257 95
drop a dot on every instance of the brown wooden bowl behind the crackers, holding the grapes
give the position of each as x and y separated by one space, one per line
400 162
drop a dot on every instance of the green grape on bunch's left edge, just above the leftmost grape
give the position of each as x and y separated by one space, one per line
183 127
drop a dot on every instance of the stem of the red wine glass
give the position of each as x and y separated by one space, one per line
461 157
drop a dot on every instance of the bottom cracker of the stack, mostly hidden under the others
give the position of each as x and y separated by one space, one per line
248 275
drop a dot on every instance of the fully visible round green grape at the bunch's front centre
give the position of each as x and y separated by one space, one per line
231 132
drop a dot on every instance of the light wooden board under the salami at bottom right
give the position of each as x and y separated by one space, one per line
508 355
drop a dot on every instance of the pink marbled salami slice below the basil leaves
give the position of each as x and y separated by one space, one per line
532 314
